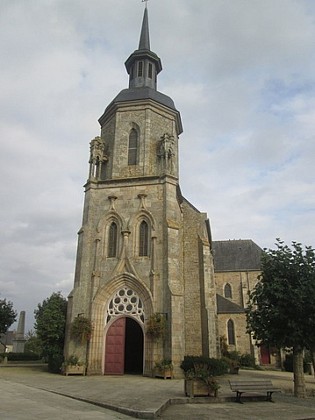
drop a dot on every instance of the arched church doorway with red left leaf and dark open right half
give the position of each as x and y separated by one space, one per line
124 347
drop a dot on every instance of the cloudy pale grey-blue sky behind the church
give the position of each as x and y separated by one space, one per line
242 75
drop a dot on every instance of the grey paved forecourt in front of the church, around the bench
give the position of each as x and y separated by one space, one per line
35 393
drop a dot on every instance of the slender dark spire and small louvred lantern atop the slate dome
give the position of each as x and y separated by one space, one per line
143 65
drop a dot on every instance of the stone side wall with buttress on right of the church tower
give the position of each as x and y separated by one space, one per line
199 285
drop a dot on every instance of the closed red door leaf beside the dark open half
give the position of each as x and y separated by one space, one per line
115 348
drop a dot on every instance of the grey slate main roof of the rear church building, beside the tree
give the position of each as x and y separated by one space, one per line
236 255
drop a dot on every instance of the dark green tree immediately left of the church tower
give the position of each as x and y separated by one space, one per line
50 324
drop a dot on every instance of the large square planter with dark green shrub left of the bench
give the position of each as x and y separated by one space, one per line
200 375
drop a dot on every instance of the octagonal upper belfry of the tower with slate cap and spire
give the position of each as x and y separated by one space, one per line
140 127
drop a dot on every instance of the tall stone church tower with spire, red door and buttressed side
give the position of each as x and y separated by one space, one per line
143 250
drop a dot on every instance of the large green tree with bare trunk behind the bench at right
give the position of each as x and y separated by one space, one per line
281 310
